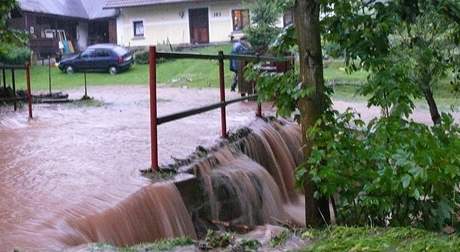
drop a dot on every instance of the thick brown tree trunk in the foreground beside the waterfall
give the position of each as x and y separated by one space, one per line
311 107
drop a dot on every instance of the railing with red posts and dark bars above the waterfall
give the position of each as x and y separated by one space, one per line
220 57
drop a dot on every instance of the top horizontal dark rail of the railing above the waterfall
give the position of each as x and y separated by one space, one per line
253 58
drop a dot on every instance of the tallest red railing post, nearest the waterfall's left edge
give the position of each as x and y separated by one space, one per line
153 108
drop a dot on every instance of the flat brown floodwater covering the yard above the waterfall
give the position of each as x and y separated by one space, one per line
75 161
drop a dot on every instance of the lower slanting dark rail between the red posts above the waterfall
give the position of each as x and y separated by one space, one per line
200 110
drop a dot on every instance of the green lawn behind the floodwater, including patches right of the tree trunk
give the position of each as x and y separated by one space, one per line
204 73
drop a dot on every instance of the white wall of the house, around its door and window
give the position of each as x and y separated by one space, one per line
164 22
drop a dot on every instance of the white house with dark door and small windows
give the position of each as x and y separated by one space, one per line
152 22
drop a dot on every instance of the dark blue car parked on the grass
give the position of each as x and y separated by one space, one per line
100 57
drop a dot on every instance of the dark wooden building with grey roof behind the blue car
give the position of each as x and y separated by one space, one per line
64 25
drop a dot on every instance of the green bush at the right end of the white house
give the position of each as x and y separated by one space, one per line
264 16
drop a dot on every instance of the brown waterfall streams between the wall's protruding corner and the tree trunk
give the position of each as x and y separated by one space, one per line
251 181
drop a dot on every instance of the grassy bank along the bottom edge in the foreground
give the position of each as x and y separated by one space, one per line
330 239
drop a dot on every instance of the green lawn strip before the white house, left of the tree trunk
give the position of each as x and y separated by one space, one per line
191 73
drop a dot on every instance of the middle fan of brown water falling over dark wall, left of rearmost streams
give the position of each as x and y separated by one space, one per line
241 191
